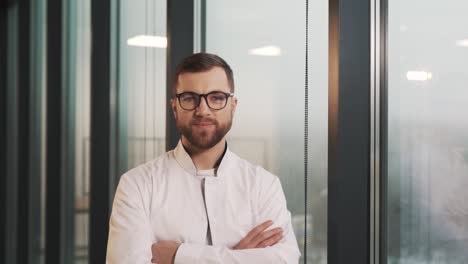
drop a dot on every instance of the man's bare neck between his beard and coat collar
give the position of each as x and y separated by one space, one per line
205 159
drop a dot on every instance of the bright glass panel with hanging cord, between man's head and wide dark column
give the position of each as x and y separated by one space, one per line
267 55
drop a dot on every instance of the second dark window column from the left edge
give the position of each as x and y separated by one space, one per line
55 233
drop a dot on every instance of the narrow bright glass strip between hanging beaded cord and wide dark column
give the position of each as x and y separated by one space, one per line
317 199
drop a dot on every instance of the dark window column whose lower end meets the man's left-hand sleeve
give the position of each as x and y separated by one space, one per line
100 179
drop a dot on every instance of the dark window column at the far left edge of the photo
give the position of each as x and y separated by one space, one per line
15 63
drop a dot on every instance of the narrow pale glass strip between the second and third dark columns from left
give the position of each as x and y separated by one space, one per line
79 105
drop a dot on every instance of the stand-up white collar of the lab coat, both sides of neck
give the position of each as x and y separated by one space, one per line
185 161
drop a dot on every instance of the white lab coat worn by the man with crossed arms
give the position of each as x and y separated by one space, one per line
162 200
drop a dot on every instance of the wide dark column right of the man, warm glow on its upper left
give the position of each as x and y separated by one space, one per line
349 132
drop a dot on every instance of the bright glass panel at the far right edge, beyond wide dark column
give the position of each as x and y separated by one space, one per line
427 132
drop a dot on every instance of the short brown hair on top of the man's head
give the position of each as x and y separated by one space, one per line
201 62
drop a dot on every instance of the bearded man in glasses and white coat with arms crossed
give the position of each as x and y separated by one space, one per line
201 203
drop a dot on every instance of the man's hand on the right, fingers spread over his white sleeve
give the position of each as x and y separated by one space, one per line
259 238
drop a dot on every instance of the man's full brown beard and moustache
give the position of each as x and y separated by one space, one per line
206 138
